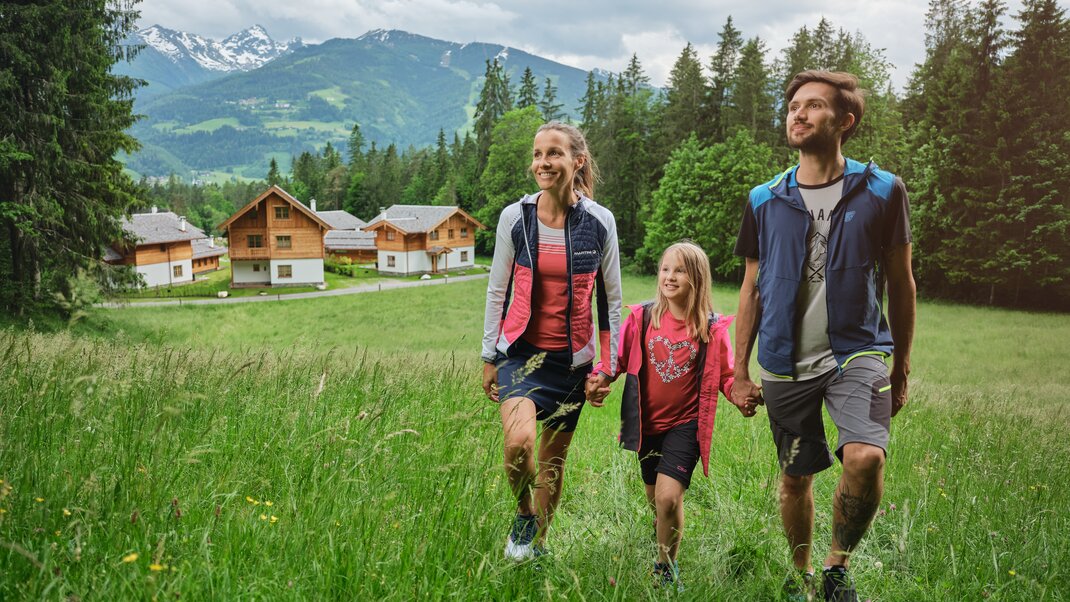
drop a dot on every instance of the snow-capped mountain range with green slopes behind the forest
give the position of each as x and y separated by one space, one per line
233 106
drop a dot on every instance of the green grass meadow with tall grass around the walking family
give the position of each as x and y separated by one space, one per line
341 449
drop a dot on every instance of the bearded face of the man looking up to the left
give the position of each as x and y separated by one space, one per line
813 125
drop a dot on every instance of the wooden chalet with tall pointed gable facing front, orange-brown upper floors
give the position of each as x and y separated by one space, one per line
276 241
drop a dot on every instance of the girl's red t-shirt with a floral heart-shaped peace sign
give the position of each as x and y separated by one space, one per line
669 381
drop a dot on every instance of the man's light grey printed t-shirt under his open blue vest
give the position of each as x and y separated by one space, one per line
814 352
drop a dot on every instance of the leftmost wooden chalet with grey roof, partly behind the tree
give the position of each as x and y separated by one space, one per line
162 250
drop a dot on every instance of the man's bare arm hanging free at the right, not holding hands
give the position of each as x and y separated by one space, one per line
903 308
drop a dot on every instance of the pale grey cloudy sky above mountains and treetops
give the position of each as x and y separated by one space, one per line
587 35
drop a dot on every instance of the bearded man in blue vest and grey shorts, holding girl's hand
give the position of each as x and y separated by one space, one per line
821 241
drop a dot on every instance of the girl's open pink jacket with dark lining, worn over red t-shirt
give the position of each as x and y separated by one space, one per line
719 373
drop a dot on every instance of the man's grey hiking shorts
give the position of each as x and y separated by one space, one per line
859 400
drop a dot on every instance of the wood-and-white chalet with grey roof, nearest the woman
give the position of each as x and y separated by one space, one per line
424 239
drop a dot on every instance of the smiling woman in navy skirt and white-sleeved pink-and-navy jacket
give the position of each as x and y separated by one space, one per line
553 251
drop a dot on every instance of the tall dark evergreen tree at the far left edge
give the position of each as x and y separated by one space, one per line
64 117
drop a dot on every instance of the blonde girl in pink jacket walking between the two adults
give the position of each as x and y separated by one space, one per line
677 354
